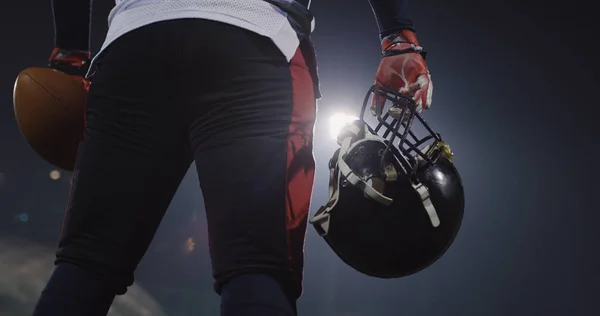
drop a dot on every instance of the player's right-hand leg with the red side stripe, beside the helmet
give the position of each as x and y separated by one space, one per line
252 142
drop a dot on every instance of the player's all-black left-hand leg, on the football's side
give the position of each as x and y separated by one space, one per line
134 155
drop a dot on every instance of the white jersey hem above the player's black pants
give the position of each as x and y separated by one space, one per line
254 15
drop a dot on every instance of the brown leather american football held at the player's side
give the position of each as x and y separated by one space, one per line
49 108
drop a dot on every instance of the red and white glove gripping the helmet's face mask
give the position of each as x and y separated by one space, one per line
403 69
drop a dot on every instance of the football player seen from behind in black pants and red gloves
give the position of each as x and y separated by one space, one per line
230 85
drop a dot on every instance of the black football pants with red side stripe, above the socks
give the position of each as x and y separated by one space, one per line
190 90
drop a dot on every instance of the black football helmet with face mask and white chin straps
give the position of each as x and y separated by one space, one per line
396 200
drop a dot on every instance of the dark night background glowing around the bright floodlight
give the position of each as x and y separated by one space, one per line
515 86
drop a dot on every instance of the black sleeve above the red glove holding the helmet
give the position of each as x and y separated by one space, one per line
391 16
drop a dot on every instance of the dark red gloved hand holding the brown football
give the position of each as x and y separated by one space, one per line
71 62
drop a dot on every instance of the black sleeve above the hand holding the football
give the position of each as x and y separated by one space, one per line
72 24
